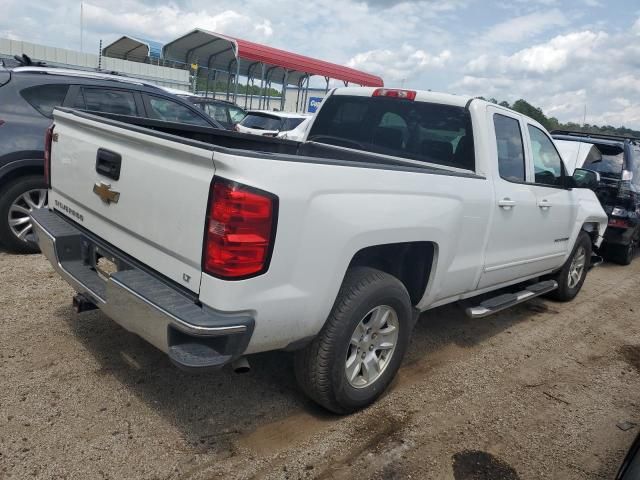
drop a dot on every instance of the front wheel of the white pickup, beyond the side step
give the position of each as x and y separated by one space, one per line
572 275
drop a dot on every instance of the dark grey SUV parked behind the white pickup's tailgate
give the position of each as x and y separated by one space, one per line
28 96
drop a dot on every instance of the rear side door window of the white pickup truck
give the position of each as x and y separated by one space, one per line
510 148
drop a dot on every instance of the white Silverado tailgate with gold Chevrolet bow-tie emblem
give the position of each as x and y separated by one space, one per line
157 206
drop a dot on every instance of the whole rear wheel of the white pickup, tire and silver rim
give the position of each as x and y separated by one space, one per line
359 350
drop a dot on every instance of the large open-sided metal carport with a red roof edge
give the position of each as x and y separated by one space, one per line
228 58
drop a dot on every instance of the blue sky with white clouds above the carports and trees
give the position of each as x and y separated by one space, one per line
559 55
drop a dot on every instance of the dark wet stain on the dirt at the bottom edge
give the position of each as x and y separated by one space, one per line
479 465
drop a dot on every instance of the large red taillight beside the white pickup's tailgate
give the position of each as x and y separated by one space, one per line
240 229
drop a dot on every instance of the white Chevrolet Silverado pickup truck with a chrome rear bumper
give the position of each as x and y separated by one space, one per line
215 245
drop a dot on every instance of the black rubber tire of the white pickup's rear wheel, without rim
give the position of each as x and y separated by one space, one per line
320 367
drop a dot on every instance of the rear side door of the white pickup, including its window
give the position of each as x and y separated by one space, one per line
514 249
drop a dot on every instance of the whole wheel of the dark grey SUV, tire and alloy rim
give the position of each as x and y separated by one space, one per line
17 200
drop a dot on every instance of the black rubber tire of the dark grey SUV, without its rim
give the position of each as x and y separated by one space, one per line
9 193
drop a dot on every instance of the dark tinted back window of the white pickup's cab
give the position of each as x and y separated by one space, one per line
428 132
